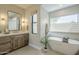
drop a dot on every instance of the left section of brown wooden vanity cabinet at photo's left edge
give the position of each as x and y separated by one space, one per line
5 44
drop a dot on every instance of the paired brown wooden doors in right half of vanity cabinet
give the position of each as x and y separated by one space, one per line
18 41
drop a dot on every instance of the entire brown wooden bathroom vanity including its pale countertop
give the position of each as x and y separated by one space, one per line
13 41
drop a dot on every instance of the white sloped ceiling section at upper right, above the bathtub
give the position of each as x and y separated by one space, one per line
53 7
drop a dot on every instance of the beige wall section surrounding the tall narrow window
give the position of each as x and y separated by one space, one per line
34 39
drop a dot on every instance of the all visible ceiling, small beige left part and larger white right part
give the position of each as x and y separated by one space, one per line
48 7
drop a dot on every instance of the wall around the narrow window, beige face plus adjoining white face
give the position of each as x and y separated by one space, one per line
34 39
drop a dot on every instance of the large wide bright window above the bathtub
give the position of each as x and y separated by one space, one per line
63 23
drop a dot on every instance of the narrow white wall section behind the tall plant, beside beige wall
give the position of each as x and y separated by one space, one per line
44 18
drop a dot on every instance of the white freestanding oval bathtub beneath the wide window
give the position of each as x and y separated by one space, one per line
70 48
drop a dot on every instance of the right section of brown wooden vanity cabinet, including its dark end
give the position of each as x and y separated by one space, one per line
20 41
